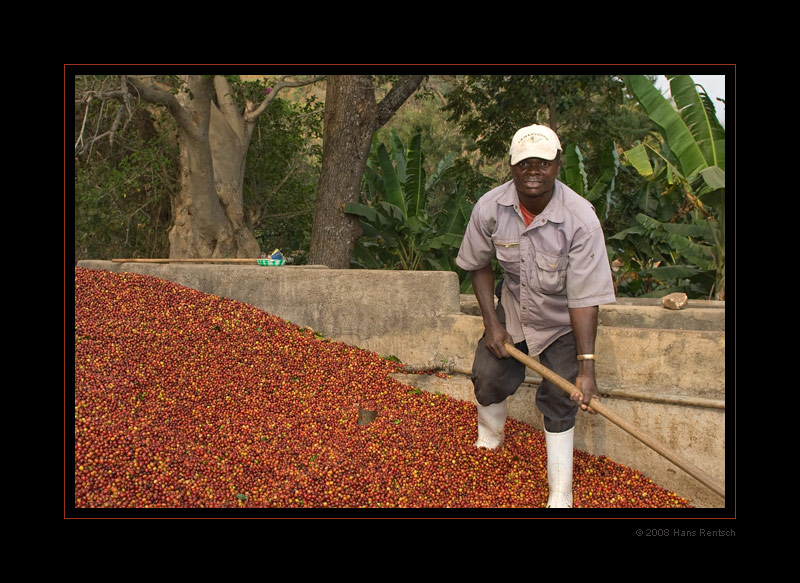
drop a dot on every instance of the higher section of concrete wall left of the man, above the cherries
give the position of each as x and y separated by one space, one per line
333 302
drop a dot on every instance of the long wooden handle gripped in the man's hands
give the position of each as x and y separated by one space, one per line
601 409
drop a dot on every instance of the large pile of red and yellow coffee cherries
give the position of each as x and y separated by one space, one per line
190 400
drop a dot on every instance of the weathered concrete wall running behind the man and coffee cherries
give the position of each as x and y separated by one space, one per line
662 370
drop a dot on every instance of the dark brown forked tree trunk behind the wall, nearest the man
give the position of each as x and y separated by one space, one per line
351 118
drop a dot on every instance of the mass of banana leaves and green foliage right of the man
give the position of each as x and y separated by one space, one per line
676 241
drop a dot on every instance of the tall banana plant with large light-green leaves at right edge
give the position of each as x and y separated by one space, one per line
692 161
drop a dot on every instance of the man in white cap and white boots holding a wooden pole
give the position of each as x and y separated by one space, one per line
551 247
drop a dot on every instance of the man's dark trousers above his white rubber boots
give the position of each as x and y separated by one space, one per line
495 379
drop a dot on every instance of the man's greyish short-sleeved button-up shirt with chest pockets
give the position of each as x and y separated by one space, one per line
556 263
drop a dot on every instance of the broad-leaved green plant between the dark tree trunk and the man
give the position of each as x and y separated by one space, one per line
411 220
